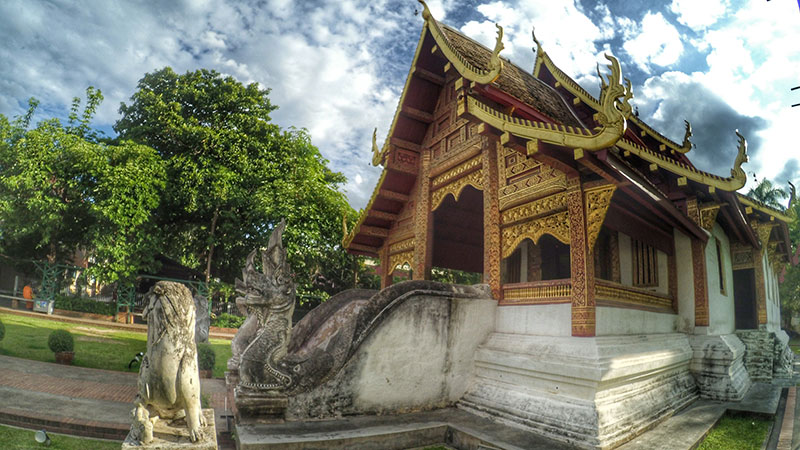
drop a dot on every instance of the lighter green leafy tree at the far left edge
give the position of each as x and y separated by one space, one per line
62 190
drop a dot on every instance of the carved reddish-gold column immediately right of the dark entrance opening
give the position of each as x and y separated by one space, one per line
491 215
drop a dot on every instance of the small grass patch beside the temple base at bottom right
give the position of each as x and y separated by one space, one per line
739 432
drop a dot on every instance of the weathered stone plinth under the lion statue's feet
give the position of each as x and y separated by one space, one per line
175 436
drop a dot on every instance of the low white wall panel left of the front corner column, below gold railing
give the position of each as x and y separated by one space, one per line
543 320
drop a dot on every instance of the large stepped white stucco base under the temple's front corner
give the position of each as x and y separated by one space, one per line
590 392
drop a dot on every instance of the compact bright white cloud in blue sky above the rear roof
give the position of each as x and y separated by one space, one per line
657 42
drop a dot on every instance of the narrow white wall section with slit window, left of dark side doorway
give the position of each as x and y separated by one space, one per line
721 307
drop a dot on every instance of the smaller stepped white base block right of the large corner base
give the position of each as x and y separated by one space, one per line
718 367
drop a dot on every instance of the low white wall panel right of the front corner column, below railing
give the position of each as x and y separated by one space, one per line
622 321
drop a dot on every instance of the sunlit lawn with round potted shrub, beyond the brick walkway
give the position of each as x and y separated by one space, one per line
95 347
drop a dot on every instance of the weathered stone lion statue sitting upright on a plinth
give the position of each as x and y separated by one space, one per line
169 385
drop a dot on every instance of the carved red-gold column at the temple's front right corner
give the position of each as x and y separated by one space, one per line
581 263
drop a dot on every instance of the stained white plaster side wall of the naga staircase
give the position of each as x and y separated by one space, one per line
420 357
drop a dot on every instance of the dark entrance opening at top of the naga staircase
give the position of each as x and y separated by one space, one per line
458 238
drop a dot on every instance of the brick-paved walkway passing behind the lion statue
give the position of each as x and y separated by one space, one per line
76 400
